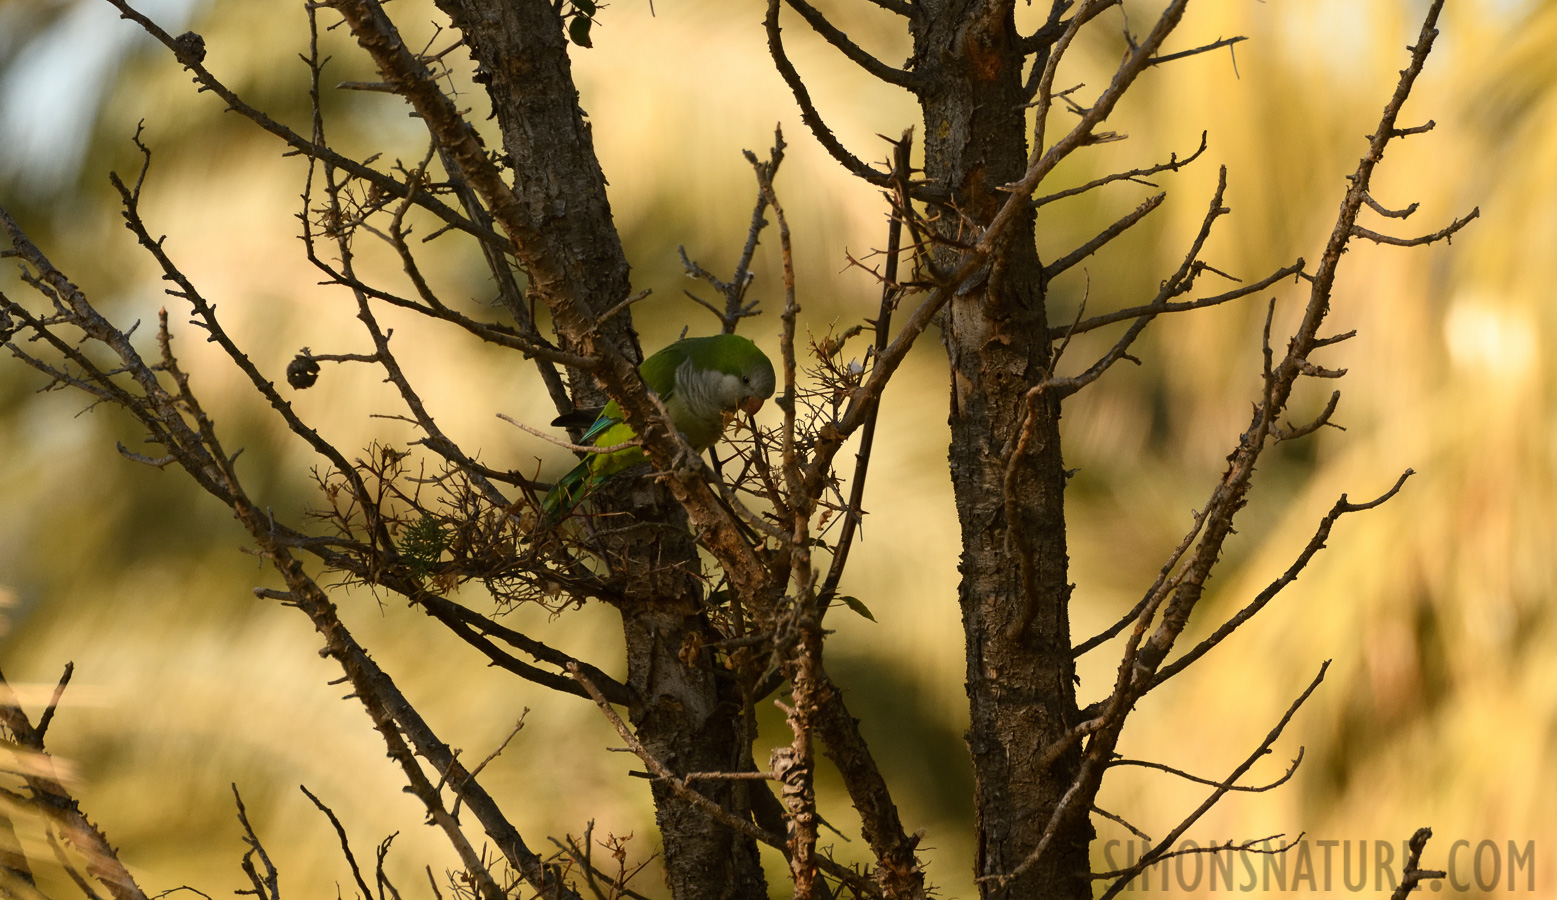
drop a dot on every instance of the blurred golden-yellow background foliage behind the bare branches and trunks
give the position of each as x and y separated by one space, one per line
1443 701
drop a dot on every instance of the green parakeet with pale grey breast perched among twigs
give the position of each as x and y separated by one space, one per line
701 381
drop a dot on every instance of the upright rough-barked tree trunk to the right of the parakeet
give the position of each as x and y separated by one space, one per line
1021 677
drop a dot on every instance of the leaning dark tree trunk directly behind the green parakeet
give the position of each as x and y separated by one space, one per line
681 712
